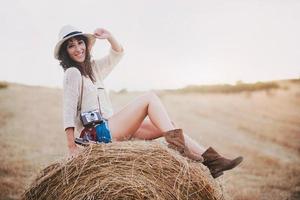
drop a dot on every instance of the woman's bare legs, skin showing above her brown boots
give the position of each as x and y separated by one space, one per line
131 122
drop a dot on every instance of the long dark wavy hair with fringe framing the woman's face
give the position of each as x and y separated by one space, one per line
66 62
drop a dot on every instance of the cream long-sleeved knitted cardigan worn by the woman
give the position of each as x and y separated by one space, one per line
72 90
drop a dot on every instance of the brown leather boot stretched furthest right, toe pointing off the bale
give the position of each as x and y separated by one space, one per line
217 164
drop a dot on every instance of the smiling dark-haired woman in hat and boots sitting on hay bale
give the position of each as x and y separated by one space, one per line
143 118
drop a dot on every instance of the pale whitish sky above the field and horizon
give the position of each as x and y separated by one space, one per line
168 43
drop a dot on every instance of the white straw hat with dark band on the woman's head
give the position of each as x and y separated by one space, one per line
69 31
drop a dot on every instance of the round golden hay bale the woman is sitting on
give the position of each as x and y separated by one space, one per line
125 170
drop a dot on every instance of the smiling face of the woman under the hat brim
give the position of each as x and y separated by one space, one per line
76 50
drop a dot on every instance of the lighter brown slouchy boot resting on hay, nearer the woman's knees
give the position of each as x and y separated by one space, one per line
175 139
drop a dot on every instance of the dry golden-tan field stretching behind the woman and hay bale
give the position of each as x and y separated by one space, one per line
264 127
